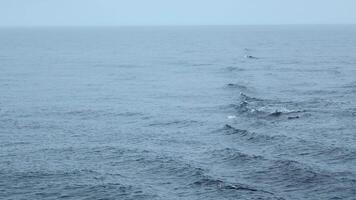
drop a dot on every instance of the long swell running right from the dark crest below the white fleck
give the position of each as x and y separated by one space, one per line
286 146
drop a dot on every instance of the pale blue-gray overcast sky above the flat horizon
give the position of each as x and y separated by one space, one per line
175 12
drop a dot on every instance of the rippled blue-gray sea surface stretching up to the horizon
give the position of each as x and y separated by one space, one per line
166 113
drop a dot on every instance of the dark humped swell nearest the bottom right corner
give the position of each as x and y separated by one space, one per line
292 175
